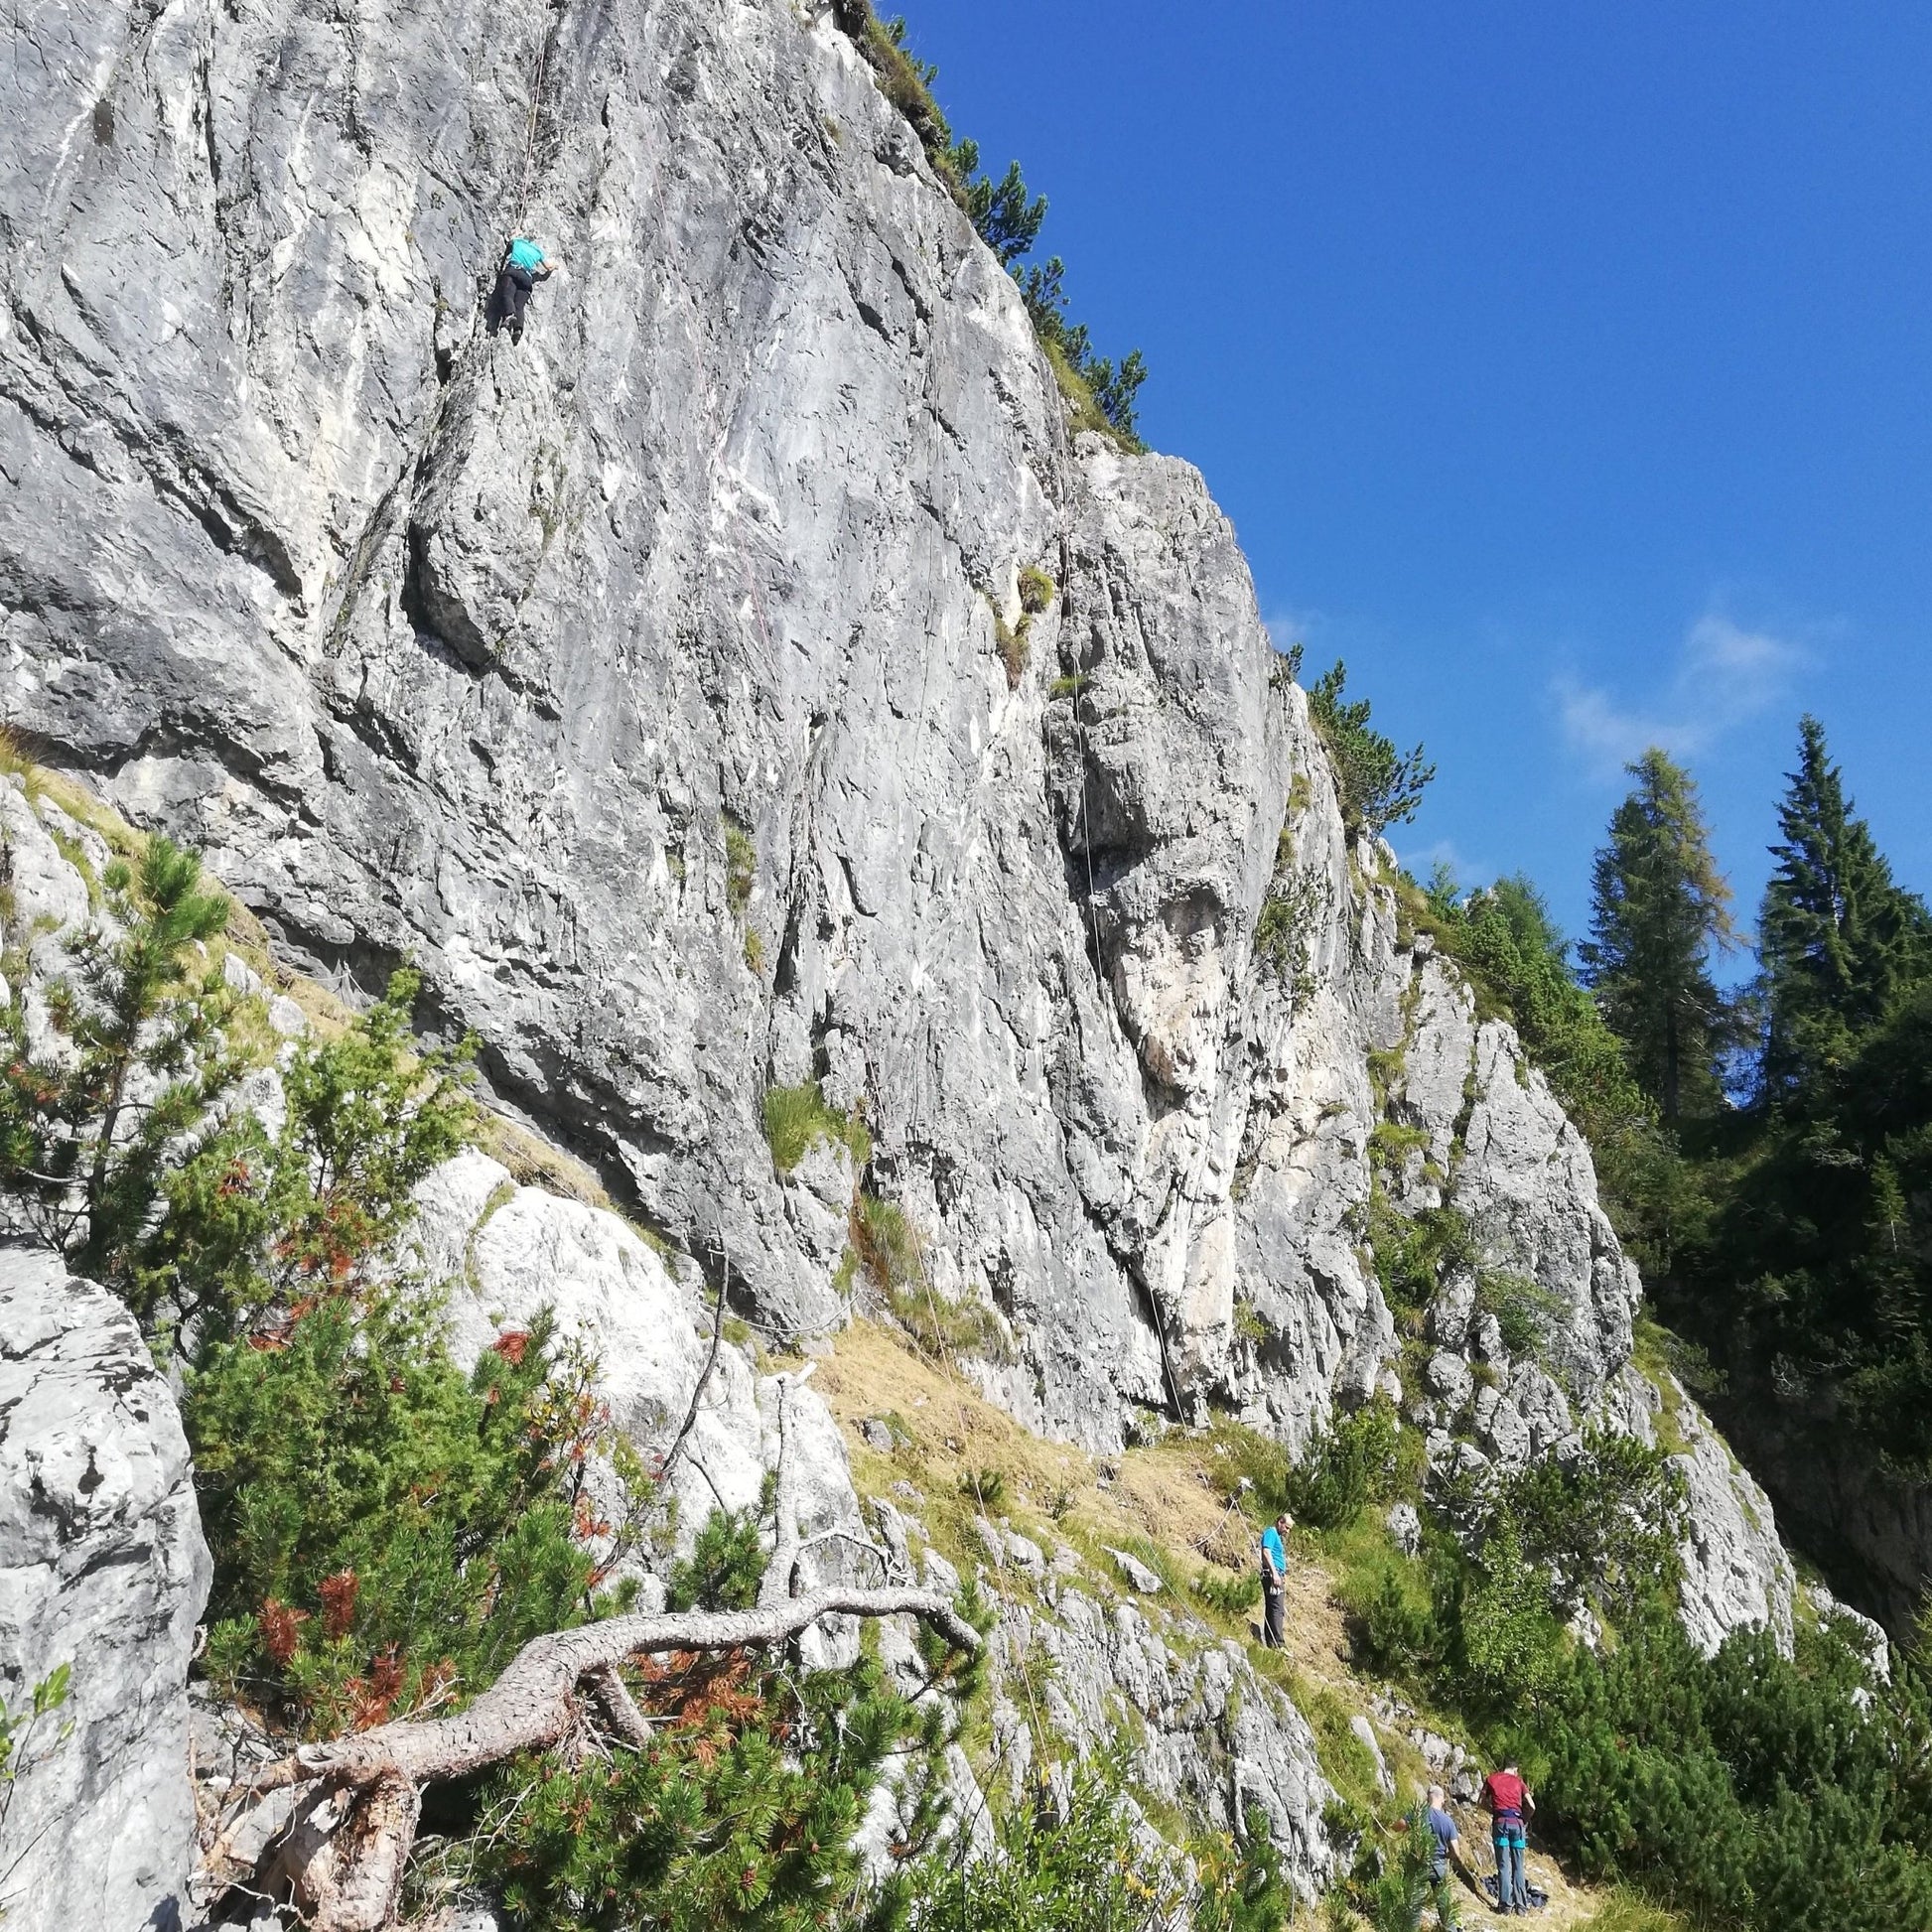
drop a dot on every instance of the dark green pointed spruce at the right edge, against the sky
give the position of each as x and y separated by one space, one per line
1840 938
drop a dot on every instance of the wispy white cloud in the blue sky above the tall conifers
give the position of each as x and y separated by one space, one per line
1726 675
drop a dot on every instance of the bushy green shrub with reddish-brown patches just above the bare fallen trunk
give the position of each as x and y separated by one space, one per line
384 1527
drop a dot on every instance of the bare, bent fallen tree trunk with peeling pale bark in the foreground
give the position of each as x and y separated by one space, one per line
349 1840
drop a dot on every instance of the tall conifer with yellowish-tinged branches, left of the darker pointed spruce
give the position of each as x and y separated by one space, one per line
1659 911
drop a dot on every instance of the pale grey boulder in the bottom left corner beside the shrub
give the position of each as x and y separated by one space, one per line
101 1568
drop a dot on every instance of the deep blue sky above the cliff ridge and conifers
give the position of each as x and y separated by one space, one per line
1568 370
